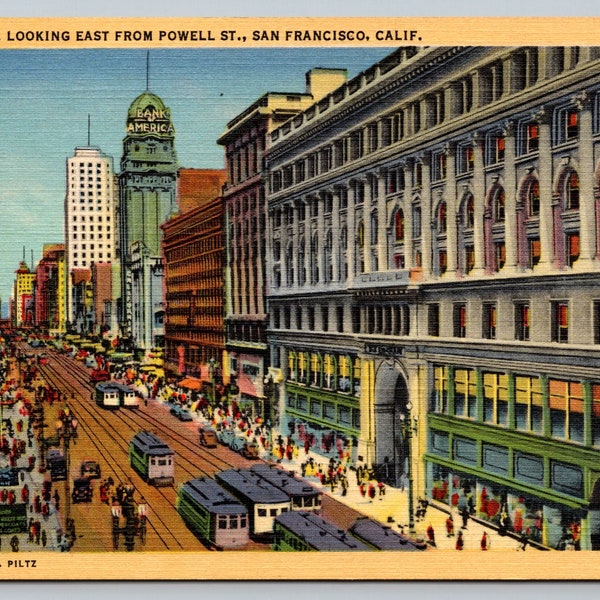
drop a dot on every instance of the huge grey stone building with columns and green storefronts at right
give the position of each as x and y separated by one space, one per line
434 228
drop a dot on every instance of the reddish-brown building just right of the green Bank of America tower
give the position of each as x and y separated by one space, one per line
193 258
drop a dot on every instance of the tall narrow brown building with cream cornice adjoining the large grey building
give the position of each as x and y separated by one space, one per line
245 141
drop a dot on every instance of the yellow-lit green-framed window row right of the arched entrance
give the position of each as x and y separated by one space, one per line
544 406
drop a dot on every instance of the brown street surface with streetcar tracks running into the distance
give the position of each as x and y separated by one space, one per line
109 433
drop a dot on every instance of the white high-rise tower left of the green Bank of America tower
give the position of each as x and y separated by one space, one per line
90 220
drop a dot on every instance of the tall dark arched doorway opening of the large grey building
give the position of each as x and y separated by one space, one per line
391 399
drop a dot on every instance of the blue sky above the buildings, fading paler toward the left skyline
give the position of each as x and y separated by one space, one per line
46 96
